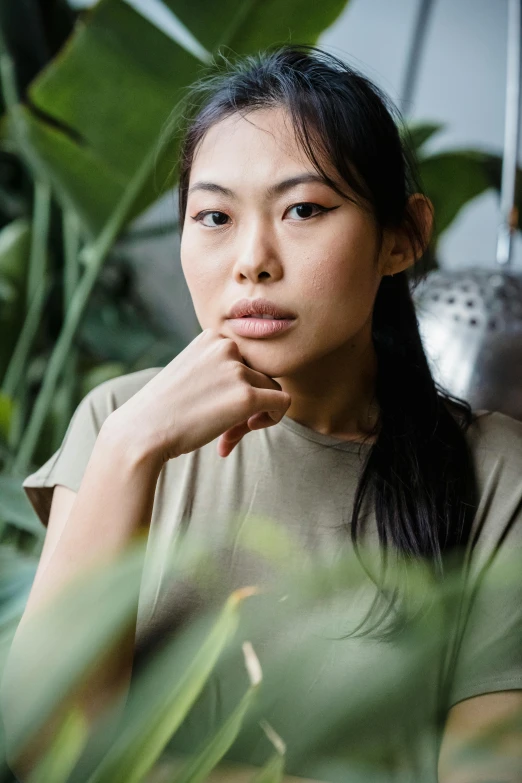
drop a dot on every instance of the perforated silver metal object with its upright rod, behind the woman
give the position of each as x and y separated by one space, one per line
471 320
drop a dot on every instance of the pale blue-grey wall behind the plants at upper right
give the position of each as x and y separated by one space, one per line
461 83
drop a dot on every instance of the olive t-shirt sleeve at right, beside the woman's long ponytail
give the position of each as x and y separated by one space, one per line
488 649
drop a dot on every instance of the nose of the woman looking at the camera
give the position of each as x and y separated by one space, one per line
257 255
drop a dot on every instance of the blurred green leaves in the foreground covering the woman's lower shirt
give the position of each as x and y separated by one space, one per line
268 658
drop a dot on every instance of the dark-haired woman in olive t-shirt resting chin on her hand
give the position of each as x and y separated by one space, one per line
301 222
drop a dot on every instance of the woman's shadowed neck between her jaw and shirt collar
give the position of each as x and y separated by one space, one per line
335 395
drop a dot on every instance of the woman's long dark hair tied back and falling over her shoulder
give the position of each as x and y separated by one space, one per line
420 470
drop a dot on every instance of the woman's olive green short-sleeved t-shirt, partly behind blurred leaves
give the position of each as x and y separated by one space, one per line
305 481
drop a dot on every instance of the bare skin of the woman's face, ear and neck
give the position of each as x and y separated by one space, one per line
324 267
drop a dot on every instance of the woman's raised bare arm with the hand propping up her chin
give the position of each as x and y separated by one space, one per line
205 392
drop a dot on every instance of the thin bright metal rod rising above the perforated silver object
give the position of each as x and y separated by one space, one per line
511 134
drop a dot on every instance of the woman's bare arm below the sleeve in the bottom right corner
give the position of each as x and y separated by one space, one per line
466 721
